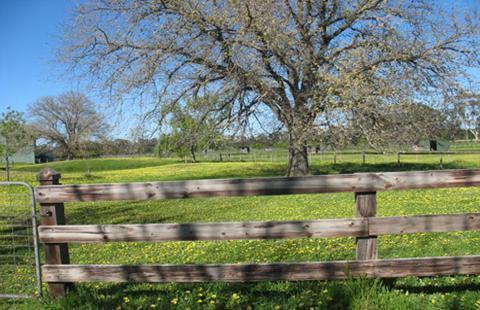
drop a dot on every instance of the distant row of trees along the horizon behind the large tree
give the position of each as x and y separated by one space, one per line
69 126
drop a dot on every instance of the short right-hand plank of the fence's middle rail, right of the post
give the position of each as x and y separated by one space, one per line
424 223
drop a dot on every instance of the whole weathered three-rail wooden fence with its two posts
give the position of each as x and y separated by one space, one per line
56 235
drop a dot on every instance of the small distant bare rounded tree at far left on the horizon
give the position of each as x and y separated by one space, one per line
69 121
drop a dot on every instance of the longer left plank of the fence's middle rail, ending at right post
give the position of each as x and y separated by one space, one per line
203 231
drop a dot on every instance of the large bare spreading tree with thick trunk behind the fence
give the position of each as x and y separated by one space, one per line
299 58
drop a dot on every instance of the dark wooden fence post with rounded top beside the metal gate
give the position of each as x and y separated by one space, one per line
54 214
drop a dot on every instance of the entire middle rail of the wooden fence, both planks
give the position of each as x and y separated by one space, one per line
355 227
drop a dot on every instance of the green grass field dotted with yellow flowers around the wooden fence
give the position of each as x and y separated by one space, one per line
409 293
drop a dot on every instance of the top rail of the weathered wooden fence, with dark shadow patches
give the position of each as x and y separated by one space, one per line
361 182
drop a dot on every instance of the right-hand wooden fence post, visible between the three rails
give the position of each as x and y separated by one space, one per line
366 206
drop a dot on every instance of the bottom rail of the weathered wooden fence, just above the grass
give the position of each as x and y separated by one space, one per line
385 268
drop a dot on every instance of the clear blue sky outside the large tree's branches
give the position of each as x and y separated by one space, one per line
28 37
